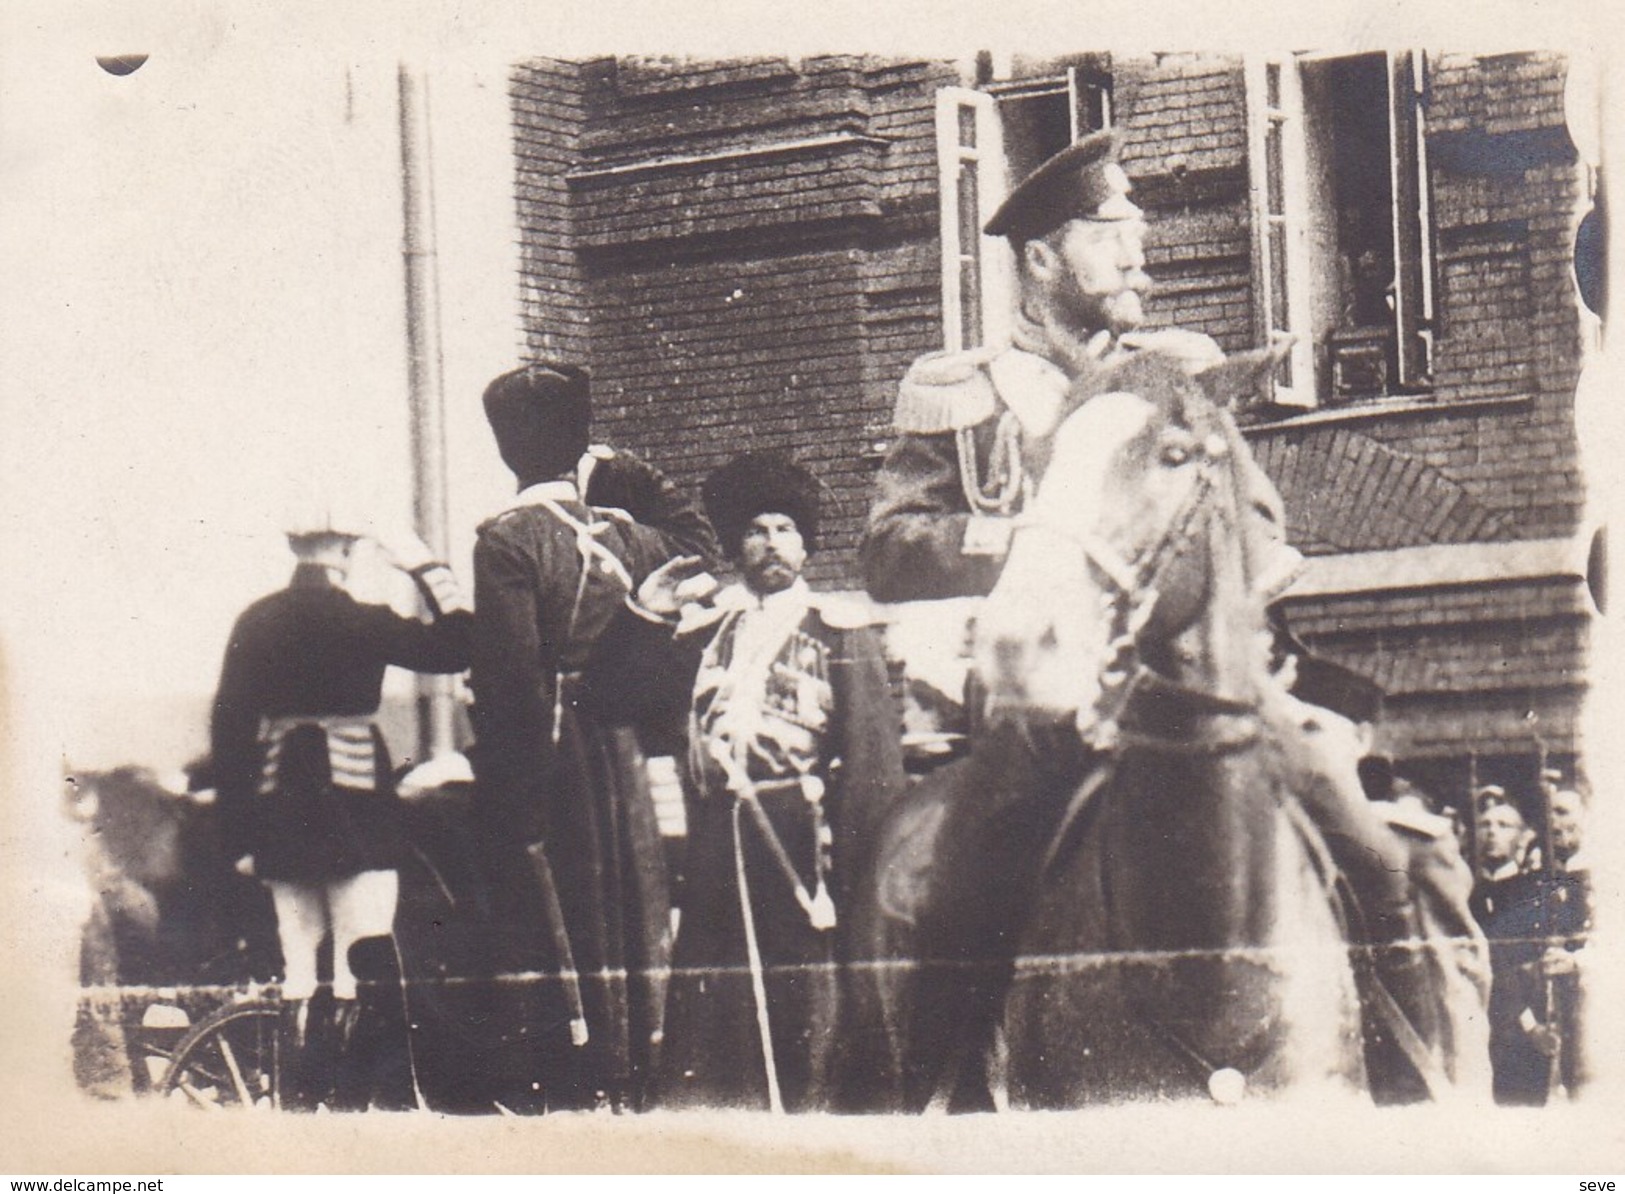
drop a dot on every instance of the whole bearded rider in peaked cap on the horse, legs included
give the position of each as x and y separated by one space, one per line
974 430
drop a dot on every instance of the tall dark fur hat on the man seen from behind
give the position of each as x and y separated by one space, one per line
542 418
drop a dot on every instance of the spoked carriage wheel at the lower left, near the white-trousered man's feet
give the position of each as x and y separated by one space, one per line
232 1058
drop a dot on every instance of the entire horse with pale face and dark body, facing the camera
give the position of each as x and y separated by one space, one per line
1117 896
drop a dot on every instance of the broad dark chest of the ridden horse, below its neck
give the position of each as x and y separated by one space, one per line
1197 977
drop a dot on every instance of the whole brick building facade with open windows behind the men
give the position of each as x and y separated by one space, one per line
750 253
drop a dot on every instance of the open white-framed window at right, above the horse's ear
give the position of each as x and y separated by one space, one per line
1343 230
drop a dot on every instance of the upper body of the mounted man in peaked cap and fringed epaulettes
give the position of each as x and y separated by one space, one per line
974 425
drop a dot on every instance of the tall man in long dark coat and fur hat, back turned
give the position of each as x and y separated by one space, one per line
581 906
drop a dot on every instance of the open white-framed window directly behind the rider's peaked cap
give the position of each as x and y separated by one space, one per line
986 141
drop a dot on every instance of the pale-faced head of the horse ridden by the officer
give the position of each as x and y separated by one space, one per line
1111 543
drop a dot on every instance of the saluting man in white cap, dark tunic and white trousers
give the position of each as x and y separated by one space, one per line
306 792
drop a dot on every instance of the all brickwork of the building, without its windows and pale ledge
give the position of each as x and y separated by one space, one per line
747 254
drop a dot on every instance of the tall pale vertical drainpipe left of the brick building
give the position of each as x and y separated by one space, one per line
427 387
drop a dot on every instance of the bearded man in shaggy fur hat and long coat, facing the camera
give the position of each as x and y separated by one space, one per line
794 758
